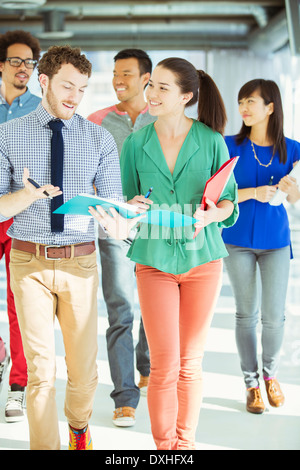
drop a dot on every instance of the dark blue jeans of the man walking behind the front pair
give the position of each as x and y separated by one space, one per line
118 292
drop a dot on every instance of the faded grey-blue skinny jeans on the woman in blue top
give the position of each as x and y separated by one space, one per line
252 294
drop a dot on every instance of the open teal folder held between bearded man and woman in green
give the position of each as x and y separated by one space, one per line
79 205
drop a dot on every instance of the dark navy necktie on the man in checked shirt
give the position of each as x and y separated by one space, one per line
57 168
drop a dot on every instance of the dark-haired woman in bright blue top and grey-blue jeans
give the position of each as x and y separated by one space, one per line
261 236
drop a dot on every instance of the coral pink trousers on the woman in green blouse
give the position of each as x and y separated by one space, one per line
177 311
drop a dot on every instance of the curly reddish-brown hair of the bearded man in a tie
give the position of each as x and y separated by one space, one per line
56 56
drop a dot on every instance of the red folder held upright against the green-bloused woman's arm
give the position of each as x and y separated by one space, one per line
216 184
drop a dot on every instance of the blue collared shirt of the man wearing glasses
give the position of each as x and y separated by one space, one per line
20 106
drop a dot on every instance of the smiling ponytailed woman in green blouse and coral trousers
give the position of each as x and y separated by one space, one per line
178 277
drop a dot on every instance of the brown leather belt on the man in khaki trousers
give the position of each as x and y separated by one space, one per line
52 251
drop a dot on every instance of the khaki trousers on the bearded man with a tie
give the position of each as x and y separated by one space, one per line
66 288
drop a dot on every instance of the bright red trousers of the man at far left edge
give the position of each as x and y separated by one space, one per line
18 373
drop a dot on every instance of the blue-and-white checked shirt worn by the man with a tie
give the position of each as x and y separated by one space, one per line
90 160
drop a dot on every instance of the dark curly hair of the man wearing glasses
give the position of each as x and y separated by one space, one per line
18 37
